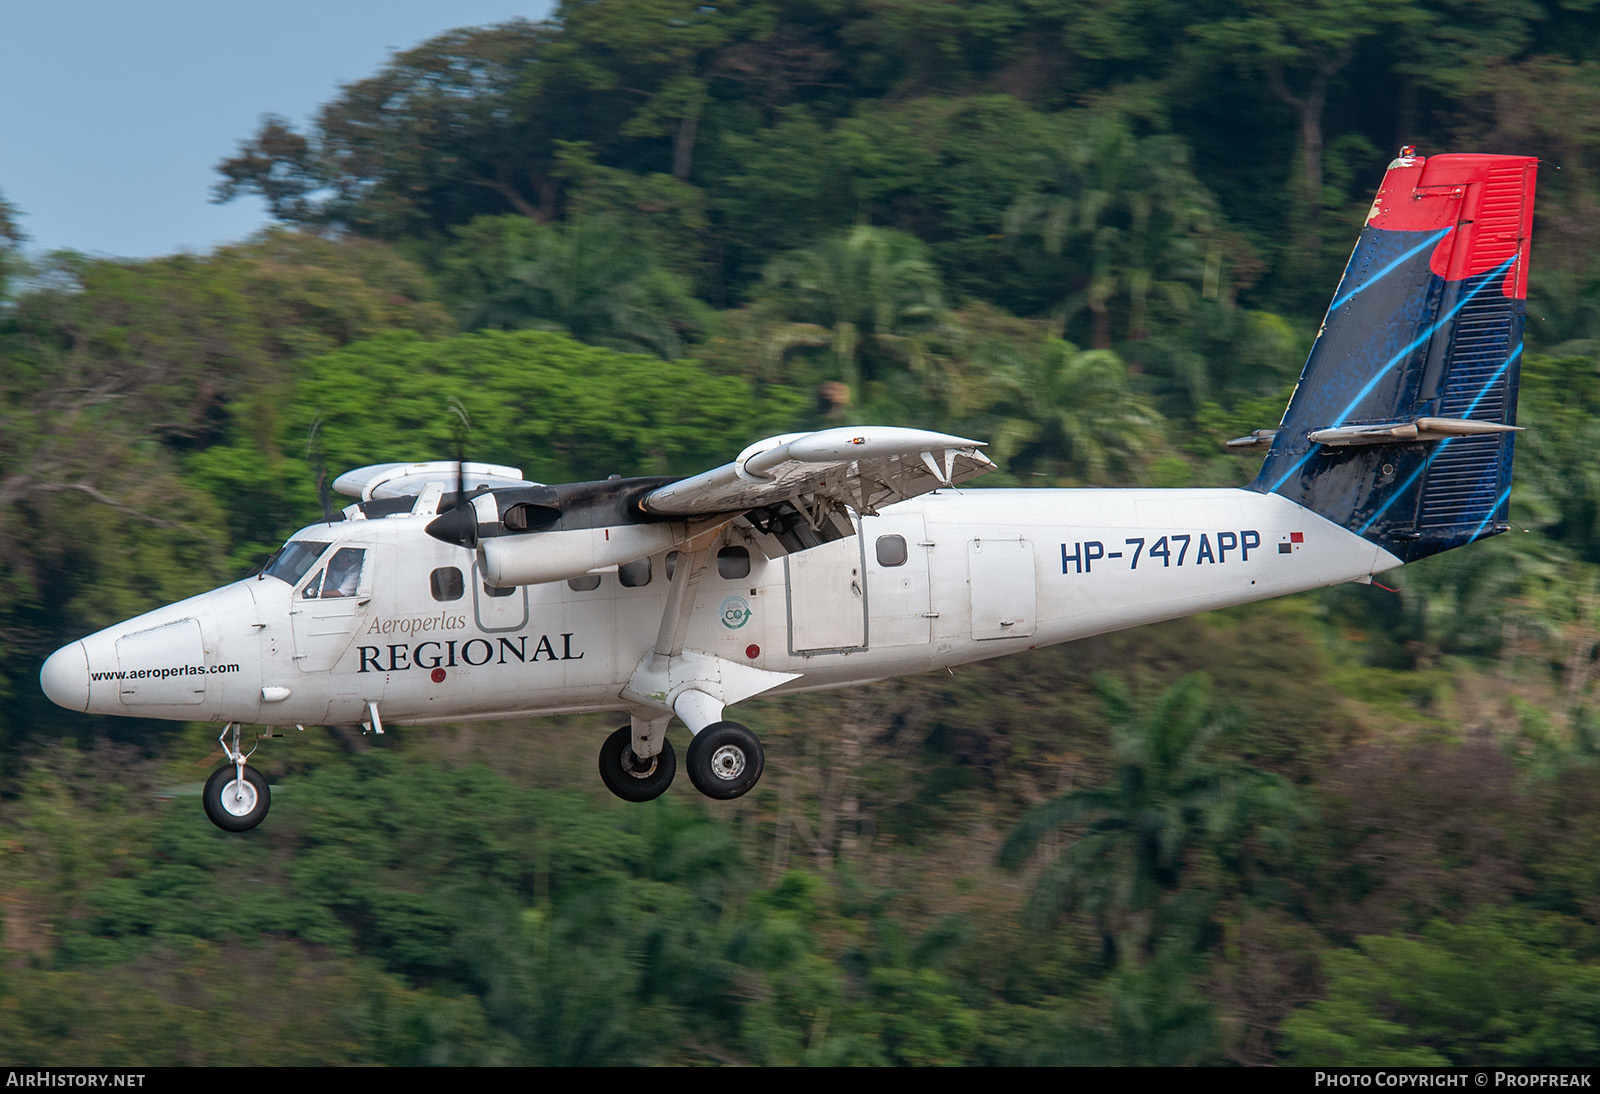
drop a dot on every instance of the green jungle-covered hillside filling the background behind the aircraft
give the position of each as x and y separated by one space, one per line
1356 828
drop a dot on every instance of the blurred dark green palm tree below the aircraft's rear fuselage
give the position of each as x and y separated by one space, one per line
1129 842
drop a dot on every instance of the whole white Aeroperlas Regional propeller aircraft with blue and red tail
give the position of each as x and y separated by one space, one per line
820 561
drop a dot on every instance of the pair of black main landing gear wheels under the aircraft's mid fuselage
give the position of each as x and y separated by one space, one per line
726 761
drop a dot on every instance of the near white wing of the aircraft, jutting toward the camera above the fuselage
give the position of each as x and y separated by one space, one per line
862 468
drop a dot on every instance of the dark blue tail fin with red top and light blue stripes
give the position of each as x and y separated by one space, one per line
1401 428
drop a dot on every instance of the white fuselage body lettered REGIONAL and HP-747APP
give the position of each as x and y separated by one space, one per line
985 573
